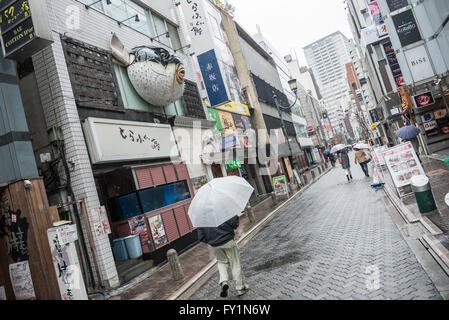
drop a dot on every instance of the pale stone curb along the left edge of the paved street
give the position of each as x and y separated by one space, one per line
207 272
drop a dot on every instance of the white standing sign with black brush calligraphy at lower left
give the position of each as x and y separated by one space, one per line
66 265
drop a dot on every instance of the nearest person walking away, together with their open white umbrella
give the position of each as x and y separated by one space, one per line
214 211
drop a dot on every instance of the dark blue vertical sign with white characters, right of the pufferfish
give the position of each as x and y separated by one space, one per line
212 78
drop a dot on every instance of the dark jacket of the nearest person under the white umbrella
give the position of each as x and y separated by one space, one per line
216 237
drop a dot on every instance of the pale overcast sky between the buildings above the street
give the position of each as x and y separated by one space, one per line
292 24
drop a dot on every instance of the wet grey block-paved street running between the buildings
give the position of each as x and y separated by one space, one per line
336 241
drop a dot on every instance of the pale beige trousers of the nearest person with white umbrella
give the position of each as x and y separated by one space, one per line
228 256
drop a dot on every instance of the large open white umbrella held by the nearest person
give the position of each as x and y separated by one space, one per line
218 201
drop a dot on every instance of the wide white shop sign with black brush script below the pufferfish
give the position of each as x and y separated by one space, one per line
115 140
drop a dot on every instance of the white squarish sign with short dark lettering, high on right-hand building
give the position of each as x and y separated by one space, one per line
419 63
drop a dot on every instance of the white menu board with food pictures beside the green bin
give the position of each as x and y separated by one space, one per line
403 164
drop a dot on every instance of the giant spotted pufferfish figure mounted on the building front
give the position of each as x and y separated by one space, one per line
156 74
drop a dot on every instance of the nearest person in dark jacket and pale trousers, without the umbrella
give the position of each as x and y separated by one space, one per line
221 239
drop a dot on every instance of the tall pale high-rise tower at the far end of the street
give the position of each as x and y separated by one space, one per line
327 58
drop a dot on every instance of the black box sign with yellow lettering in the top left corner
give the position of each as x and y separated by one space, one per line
25 29
